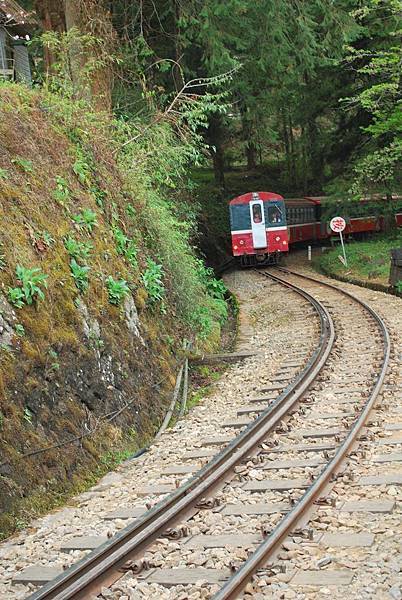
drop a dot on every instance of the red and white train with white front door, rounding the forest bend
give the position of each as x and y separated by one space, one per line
264 224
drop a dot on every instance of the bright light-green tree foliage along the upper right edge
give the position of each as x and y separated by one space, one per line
378 94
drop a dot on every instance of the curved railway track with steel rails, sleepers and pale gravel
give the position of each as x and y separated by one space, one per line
236 473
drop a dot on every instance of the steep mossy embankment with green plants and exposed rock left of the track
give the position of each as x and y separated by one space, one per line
99 285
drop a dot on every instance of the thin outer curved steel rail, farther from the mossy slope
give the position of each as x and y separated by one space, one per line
236 584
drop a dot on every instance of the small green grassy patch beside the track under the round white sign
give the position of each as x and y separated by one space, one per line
368 261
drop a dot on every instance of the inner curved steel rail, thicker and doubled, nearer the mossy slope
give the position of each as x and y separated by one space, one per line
101 567
